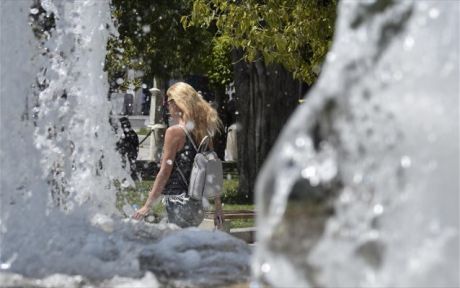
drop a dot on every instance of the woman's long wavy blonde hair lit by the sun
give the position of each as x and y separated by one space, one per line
199 116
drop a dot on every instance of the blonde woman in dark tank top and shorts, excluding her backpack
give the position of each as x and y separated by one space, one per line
194 114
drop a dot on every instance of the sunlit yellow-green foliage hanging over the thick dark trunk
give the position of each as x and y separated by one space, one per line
294 33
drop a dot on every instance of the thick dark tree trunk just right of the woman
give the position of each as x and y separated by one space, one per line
266 97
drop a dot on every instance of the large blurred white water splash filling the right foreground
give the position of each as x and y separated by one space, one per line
361 190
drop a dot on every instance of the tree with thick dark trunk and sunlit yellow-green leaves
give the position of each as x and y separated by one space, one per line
280 41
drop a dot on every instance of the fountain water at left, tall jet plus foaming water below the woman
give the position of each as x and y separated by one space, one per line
58 166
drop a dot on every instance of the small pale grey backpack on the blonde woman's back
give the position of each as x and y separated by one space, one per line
206 179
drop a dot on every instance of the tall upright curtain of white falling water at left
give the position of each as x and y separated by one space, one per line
54 157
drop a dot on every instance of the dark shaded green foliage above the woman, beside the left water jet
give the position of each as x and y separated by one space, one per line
151 39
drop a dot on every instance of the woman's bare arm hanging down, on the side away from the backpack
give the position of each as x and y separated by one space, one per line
173 137
